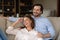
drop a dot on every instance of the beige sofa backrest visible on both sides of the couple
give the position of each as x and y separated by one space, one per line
5 23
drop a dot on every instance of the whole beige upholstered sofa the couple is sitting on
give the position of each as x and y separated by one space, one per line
4 23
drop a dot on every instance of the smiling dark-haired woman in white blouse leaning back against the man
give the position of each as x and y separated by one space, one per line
27 33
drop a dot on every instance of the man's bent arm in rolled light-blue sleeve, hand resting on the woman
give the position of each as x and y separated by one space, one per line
50 29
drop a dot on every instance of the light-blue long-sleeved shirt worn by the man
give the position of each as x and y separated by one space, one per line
44 26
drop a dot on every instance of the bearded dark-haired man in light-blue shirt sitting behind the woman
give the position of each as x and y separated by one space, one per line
42 25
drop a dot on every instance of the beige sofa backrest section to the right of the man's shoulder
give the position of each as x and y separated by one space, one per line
56 23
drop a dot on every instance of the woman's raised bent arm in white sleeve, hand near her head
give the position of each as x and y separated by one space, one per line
11 30
